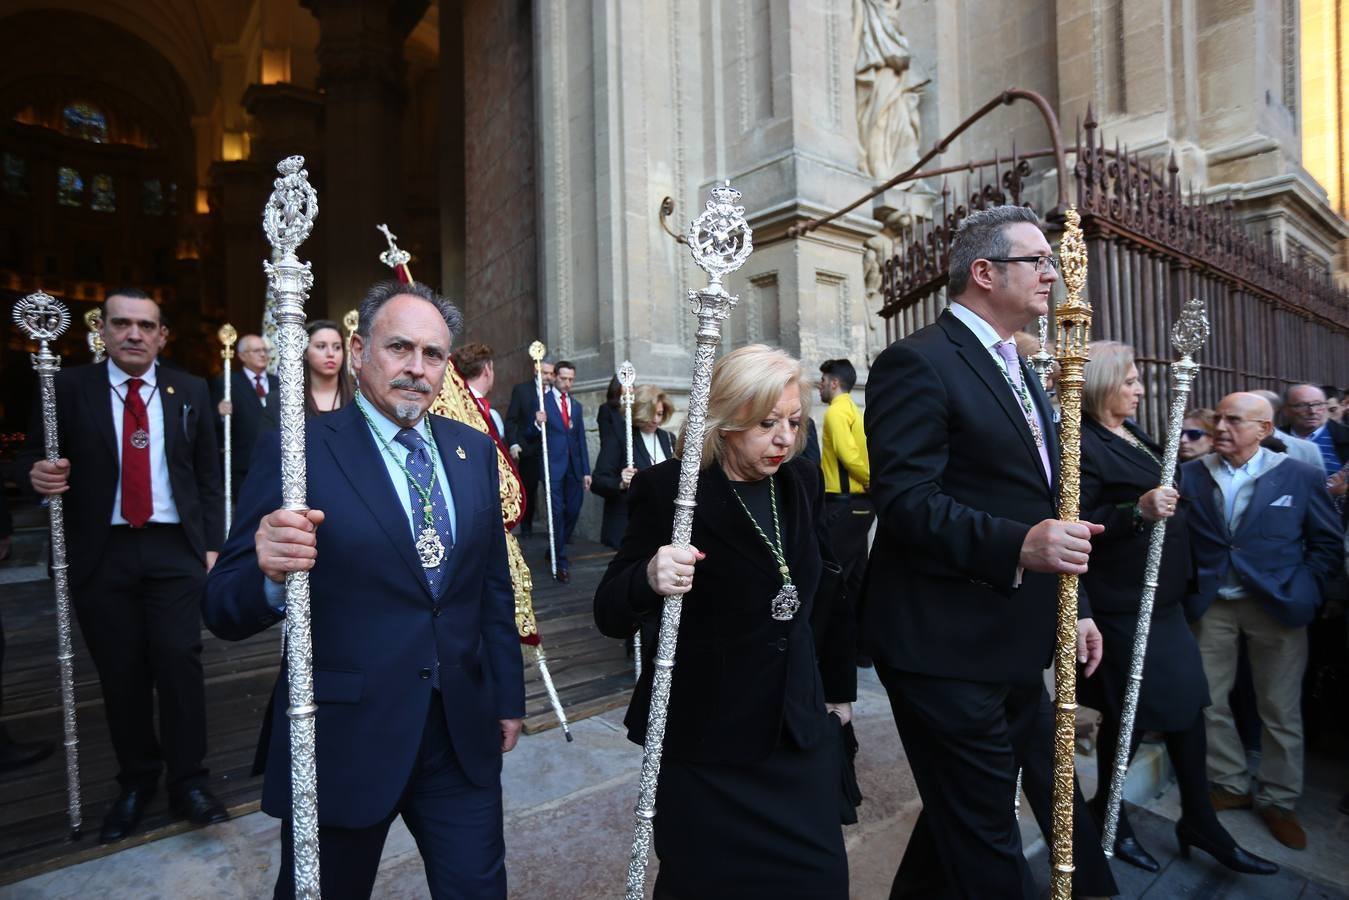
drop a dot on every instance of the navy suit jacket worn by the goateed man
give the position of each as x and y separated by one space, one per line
377 628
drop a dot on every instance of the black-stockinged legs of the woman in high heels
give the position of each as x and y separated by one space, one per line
1189 751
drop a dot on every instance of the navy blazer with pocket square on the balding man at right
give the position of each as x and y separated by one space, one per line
1284 554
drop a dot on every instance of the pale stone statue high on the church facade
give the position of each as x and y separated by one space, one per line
888 90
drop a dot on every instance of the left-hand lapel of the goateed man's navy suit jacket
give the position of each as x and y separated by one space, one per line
358 457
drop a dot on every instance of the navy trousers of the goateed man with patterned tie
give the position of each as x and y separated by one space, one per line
458 828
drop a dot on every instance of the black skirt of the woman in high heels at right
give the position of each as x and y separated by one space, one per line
1174 686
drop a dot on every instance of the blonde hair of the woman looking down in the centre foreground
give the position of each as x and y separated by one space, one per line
747 385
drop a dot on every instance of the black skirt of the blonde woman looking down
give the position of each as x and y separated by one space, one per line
768 829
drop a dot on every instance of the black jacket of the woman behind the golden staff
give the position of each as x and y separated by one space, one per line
1115 476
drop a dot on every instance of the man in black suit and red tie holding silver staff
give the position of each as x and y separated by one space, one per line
145 522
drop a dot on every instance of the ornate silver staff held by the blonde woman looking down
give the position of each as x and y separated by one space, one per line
721 242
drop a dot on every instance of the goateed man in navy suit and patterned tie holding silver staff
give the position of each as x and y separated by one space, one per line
416 659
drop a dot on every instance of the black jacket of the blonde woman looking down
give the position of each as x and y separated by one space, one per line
741 678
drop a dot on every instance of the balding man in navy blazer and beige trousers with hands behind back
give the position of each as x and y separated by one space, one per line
1266 542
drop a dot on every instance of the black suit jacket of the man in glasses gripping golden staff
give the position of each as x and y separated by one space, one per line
957 484
